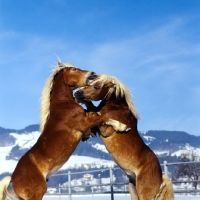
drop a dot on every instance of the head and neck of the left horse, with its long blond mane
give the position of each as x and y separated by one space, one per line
64 77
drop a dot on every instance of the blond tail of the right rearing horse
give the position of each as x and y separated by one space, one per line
166 191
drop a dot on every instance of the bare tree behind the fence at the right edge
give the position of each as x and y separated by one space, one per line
190 170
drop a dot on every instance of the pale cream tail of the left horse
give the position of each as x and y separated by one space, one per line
5 193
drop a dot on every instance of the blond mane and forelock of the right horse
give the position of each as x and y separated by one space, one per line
120 91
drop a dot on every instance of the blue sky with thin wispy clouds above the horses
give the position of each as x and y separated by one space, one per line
153 47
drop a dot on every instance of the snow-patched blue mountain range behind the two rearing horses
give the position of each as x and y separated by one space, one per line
166 144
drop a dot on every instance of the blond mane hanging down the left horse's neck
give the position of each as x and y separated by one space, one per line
45 97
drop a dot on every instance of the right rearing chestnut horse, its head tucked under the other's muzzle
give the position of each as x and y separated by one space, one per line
128 150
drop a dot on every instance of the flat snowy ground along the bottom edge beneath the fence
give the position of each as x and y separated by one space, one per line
108 197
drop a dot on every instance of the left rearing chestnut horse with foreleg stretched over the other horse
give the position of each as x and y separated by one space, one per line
63 121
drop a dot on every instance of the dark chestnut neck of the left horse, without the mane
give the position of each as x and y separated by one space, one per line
60 92
